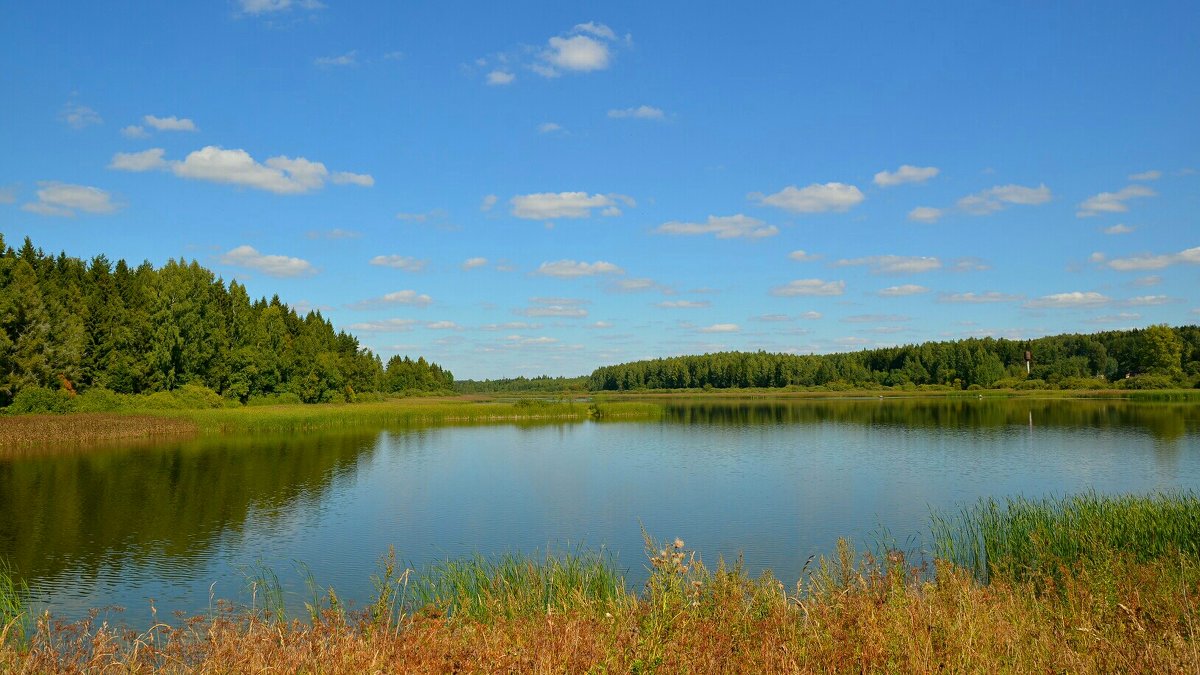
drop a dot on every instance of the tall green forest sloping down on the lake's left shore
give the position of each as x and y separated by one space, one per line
74 326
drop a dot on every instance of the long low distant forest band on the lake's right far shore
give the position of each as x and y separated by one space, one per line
1157 357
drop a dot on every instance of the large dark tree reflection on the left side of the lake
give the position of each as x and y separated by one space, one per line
86 511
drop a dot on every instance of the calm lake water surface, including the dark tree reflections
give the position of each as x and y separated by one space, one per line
778 482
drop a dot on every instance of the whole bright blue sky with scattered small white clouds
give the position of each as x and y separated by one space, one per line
524 189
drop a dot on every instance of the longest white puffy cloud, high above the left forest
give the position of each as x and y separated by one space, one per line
281 175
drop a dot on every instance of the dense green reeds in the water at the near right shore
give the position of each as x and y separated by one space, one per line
1023 539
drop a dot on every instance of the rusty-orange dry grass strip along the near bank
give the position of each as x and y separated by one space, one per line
849 614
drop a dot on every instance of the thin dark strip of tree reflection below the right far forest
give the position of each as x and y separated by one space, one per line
1163 421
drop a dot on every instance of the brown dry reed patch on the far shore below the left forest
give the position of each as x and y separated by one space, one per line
44 431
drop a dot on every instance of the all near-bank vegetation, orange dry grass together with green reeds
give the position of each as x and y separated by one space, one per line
1103 608
